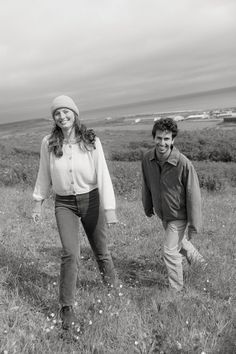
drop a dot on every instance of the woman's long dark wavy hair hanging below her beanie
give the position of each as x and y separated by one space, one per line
85 137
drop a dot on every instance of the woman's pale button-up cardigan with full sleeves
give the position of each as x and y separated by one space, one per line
78 171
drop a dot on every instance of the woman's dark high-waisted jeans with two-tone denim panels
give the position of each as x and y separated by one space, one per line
68 210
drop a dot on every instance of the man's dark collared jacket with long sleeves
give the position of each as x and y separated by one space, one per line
171 190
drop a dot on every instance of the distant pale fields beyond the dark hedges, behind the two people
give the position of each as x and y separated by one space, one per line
114 134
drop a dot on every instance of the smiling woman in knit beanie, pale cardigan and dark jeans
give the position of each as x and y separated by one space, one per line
73 163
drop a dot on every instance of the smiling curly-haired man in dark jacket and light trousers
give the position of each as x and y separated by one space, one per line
171 190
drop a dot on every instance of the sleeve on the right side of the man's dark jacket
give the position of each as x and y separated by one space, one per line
193 201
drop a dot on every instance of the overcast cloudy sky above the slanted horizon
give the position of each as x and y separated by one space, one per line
111 52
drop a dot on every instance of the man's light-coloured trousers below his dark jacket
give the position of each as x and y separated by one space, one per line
175 242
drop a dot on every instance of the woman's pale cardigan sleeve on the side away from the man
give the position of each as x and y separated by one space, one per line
43 181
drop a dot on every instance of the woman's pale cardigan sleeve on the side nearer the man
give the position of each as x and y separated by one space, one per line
105 187
